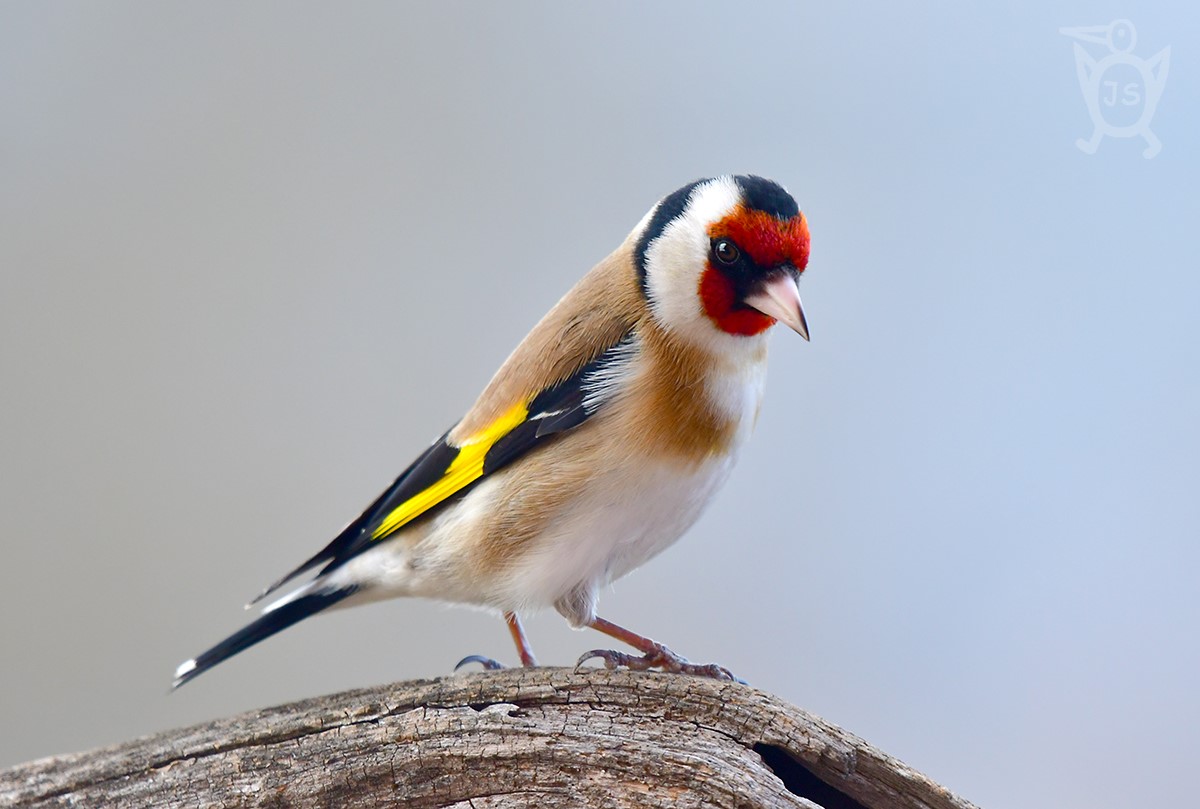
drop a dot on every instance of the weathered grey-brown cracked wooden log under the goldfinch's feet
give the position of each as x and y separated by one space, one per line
520 738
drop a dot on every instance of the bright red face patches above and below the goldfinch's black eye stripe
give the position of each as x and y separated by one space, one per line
770 243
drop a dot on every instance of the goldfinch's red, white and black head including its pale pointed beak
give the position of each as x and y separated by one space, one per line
719 260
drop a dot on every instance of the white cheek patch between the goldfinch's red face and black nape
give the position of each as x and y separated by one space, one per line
676 259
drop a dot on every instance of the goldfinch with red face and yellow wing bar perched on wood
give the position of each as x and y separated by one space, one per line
596 446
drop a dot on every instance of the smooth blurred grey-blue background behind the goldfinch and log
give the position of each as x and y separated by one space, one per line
256 257
